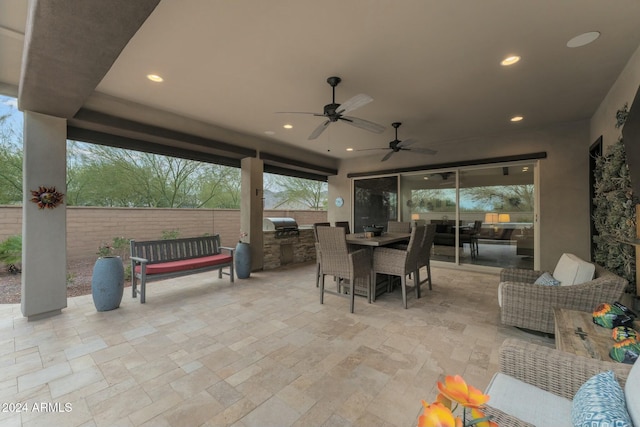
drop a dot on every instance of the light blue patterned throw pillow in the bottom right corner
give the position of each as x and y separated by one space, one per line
600 403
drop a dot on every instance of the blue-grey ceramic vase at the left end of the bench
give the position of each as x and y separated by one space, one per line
107 283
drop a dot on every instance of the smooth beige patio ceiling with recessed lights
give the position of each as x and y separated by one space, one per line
431 64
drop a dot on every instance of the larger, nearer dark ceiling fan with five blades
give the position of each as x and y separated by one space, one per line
334 112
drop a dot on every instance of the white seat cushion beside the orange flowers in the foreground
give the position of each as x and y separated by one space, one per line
528 403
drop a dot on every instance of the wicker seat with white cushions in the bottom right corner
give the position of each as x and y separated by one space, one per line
536 385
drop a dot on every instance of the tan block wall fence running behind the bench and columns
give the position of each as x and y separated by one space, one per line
89 227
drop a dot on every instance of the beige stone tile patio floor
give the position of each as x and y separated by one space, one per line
261 352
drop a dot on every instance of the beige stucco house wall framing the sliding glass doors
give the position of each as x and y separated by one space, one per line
563 219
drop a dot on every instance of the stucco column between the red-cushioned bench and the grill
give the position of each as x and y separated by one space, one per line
251 208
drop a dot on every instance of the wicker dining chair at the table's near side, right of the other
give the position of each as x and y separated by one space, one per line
398 262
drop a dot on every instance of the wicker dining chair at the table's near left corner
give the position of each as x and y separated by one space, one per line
347 267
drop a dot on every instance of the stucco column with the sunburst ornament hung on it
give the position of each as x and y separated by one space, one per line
44 255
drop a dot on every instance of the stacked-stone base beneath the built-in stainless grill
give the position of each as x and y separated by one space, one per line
302 247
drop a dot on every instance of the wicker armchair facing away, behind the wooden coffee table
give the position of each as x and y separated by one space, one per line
530 306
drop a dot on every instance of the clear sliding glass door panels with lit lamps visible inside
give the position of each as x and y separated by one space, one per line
483 216
